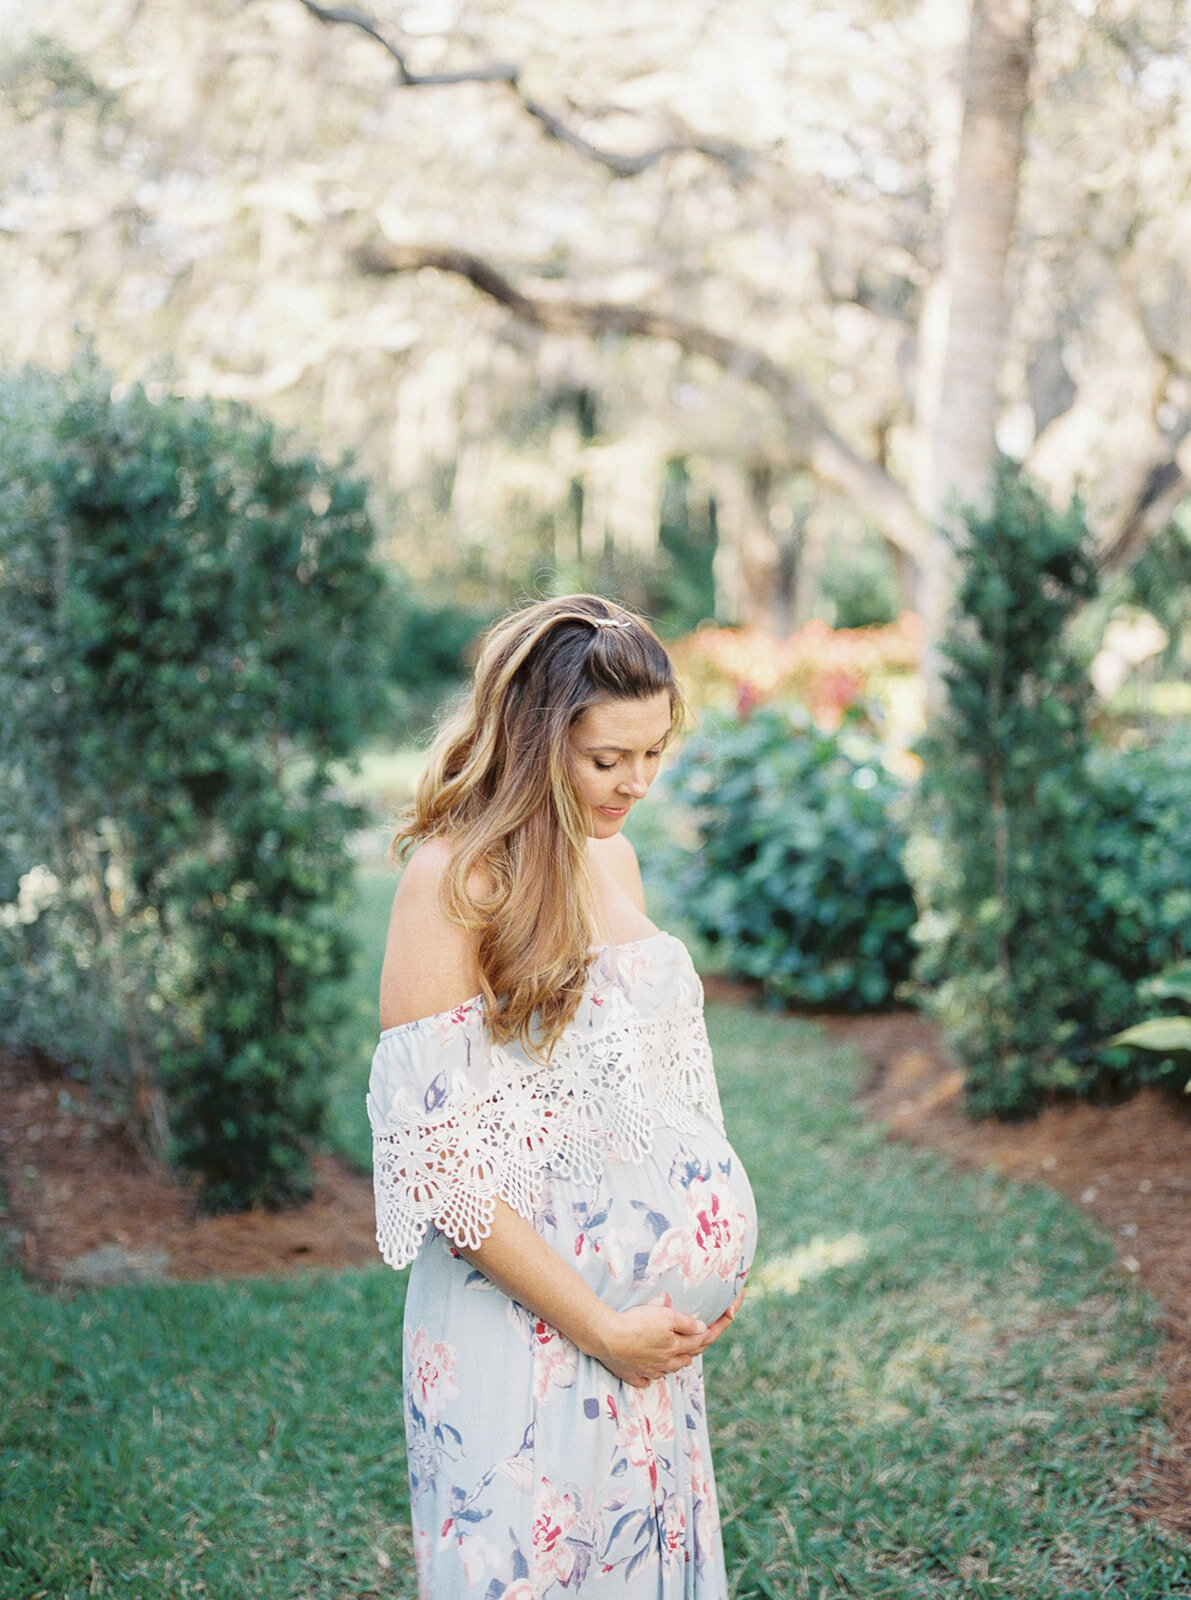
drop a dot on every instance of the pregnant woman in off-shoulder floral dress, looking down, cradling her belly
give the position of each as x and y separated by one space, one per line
548 1142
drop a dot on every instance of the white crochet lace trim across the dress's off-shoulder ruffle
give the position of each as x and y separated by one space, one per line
600 1098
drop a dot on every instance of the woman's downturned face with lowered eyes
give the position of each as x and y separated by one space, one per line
616 750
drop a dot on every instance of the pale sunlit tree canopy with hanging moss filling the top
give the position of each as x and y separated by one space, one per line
763 193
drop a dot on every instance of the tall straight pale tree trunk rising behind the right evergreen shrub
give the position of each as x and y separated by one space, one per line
972 289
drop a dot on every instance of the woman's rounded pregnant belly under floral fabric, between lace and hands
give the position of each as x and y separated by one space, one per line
678 1228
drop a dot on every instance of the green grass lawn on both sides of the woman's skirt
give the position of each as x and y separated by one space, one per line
956 1414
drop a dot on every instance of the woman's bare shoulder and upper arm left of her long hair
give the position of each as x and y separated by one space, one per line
430 959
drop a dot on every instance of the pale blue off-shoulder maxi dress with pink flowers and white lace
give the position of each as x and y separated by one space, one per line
534 1473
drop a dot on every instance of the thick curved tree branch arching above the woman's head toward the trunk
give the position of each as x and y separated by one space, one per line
817 446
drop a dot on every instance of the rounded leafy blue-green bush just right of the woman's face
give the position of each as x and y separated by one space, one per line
796 868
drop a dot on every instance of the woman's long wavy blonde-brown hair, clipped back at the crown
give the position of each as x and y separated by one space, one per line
499 788
